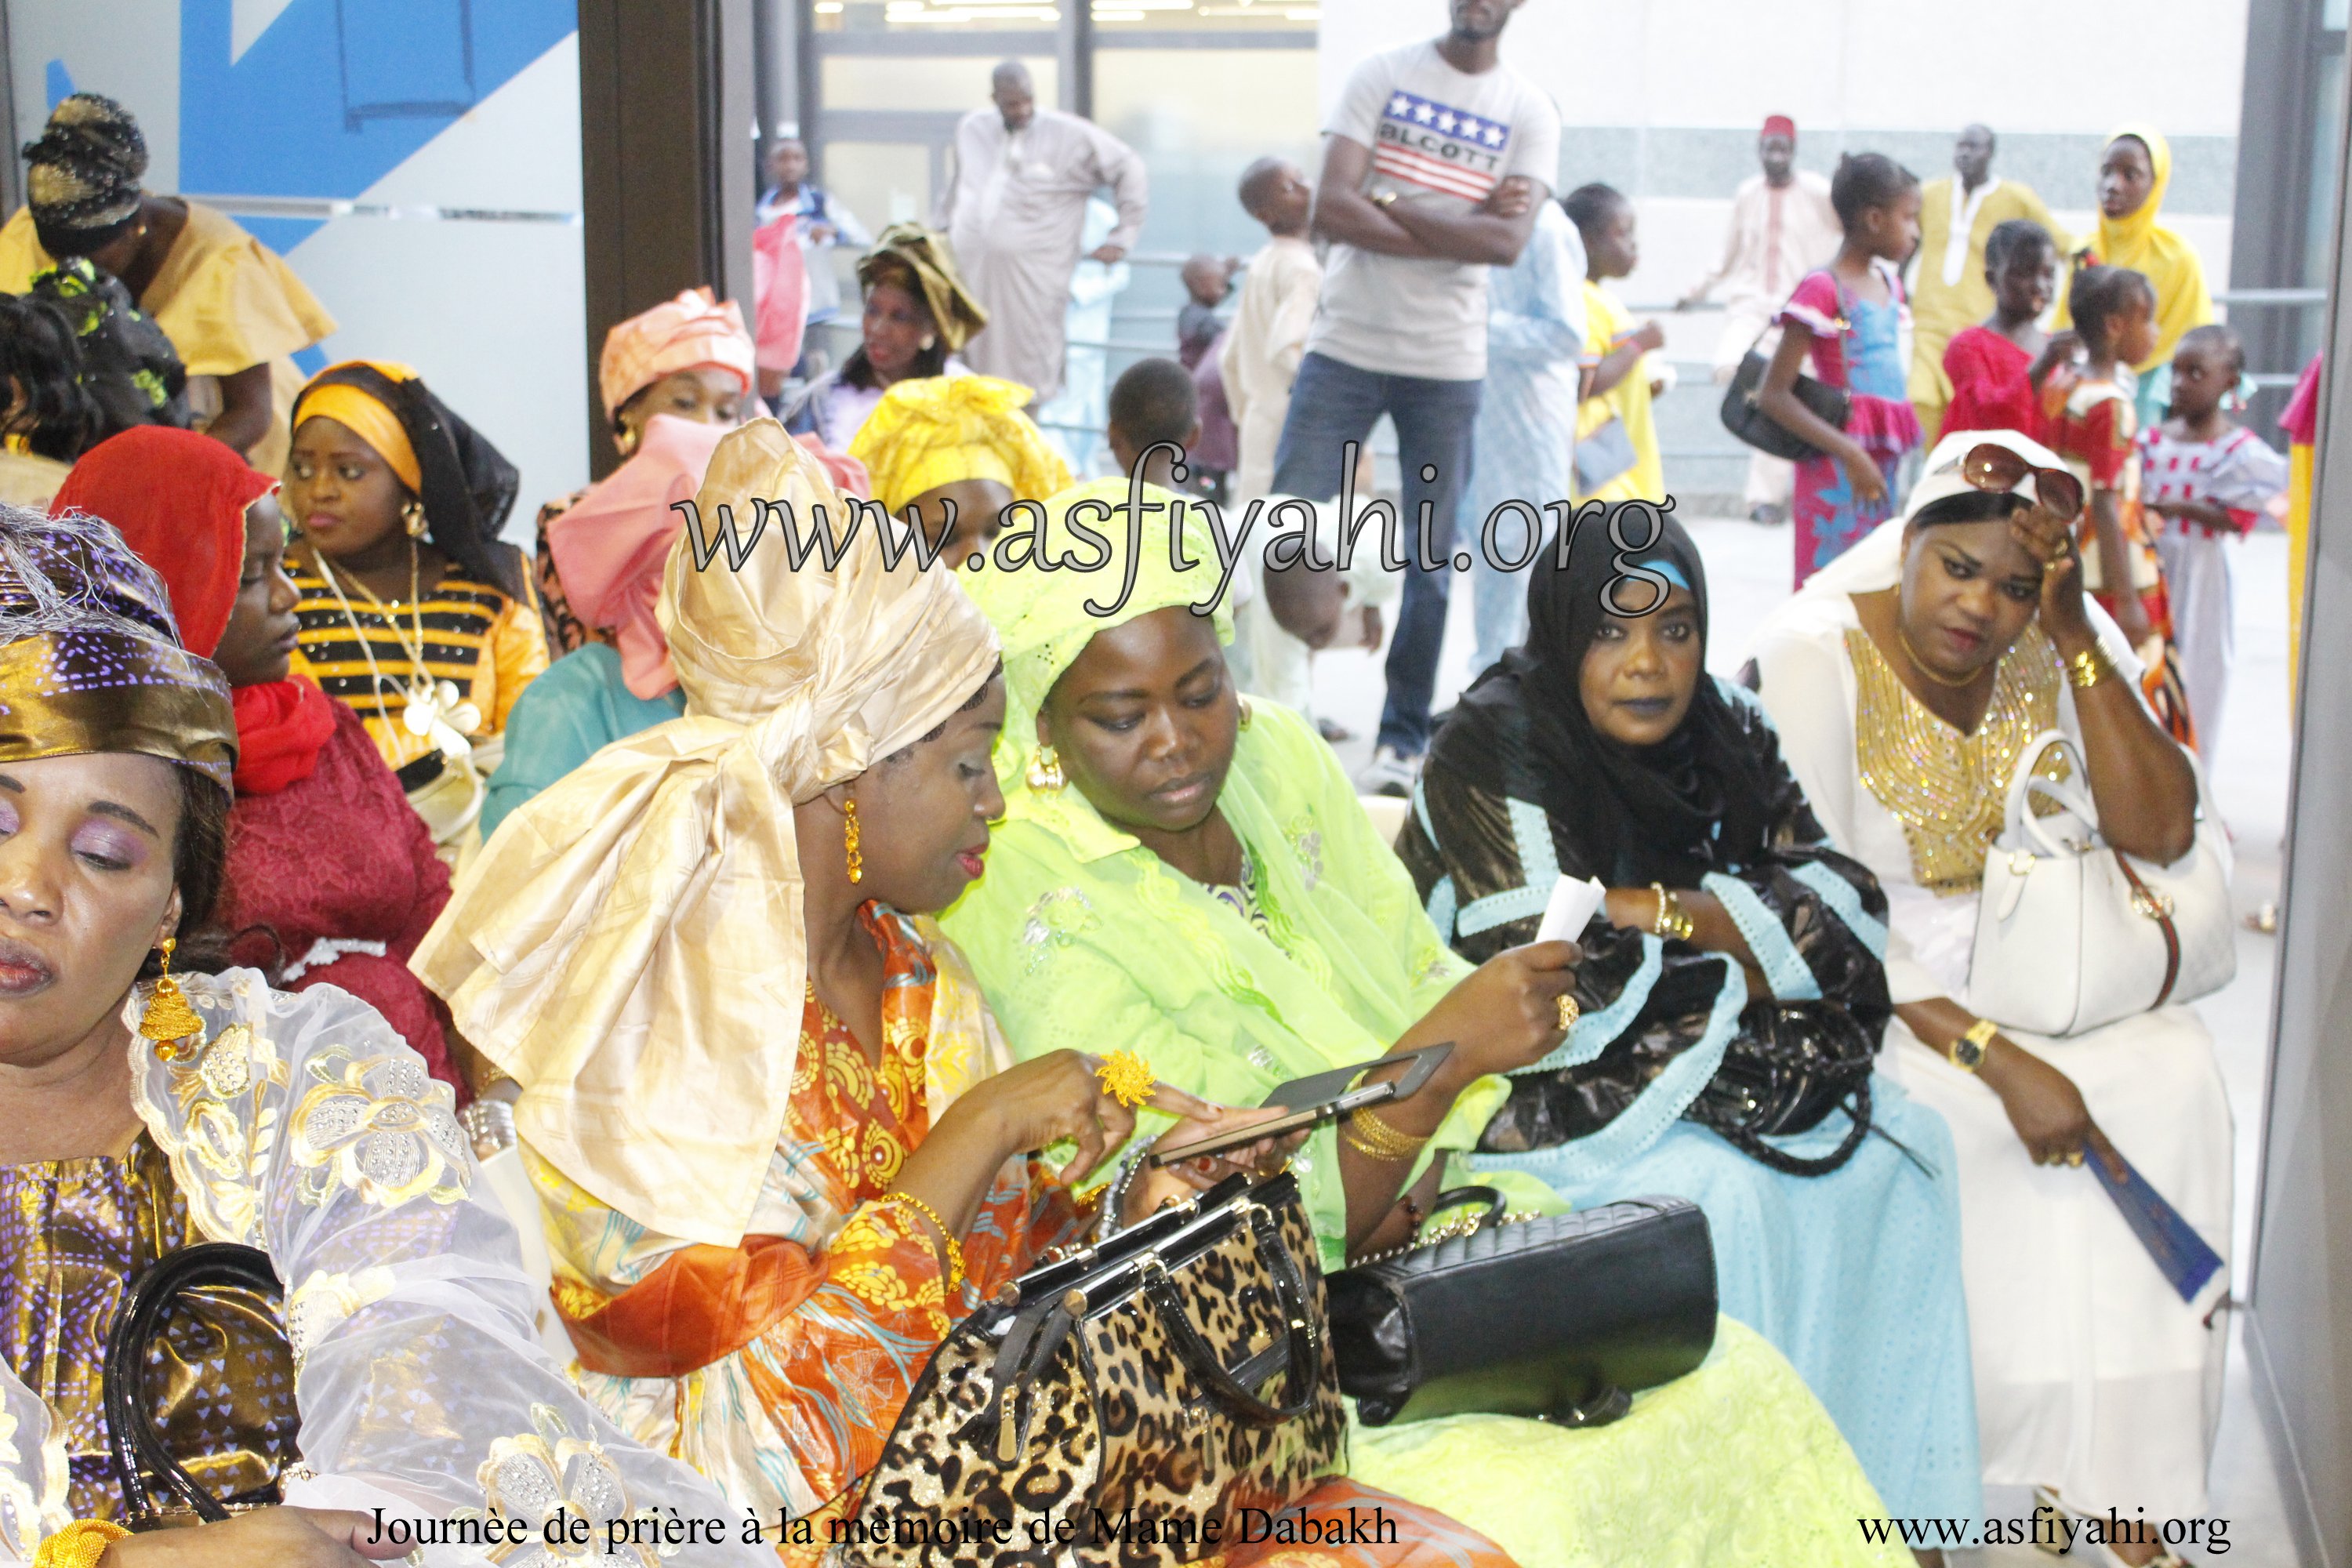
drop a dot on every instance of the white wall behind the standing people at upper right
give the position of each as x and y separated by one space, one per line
1676 88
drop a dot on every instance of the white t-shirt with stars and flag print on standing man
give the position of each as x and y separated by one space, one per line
1445 138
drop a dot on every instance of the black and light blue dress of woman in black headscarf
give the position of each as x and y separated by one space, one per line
1855 1273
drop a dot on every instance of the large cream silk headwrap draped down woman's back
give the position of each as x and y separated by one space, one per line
629 946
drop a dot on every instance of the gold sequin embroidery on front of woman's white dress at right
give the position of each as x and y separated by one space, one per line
1949 789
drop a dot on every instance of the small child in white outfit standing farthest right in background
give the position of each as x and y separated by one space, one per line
2207 478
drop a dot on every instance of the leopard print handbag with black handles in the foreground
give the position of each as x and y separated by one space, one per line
1121 1407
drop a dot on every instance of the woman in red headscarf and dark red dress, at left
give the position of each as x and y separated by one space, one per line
330 873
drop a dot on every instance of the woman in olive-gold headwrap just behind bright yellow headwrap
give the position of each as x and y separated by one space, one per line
918 319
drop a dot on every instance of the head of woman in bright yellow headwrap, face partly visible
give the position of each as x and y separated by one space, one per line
958 450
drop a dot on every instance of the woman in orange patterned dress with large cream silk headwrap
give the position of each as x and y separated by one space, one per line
763 1235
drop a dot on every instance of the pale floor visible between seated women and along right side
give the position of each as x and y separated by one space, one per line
1749 572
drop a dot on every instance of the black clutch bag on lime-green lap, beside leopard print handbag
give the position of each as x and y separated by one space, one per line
1558 1318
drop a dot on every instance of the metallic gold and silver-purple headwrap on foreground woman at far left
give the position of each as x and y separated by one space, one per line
91 657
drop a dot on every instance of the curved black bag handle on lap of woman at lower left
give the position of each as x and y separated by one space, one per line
142 1456
